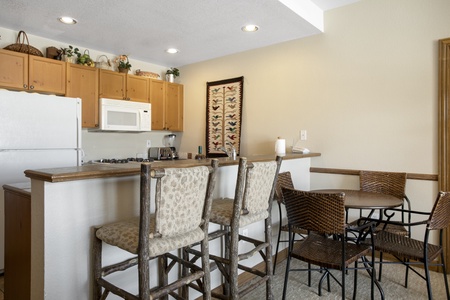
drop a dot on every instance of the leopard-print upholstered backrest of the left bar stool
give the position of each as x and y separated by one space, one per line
180 200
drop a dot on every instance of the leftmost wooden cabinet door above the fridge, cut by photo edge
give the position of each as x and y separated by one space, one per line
13 70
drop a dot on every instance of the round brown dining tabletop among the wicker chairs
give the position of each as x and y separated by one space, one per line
365 200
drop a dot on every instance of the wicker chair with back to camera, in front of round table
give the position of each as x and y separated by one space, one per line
323 215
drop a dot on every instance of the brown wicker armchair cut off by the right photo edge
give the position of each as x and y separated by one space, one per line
405 249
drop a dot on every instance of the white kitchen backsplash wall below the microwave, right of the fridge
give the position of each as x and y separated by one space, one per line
97 145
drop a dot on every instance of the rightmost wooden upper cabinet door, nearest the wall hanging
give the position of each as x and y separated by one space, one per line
174 107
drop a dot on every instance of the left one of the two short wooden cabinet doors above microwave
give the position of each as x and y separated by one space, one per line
112 84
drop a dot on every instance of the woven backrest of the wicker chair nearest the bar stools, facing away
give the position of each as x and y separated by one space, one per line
318 212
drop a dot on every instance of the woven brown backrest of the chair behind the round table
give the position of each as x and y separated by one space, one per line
389 183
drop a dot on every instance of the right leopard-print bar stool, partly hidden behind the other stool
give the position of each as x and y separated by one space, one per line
252 203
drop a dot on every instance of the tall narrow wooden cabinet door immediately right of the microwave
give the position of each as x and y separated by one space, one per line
157 95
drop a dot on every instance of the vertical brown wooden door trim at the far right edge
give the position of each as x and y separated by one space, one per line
444 127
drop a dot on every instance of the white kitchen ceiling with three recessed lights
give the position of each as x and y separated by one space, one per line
144 29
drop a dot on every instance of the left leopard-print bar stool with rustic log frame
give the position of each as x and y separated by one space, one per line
183 201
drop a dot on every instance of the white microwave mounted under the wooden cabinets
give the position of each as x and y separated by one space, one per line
120 115
